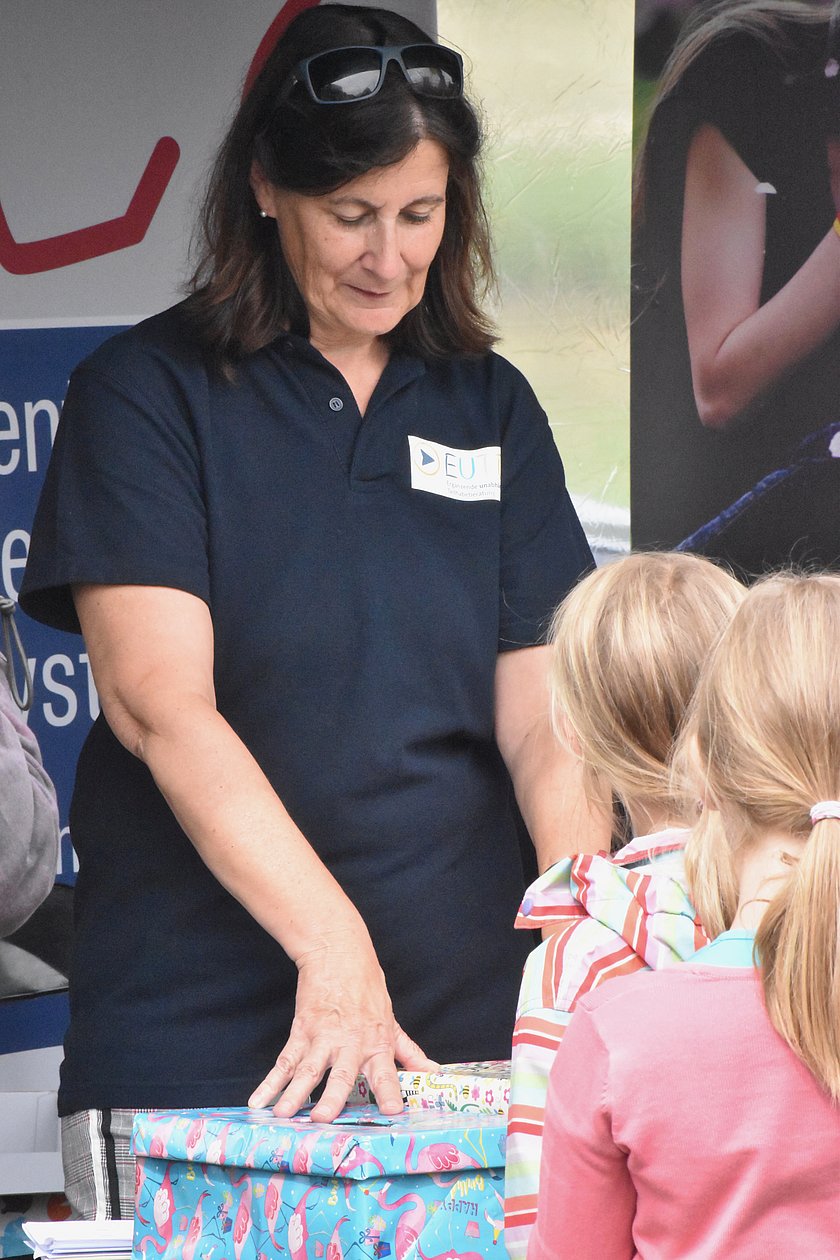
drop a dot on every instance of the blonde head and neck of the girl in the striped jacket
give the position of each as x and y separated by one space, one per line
628 644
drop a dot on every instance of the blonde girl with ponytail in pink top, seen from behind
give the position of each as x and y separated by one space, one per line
695 1111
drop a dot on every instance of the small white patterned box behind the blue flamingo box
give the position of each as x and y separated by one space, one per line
483 1087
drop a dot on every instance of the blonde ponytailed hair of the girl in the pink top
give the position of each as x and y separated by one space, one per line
764 734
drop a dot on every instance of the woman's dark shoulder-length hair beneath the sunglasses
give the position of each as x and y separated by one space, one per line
242 292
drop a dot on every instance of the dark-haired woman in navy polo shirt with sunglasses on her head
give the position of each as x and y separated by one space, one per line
313 532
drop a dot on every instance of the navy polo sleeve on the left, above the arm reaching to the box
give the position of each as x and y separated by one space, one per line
123 498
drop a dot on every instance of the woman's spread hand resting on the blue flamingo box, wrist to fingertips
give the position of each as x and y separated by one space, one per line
344 1025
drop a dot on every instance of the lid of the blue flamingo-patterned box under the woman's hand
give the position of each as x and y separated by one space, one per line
360 1143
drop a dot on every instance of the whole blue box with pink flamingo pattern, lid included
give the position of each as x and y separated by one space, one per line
241 1185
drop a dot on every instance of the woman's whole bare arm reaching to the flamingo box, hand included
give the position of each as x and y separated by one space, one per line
152 653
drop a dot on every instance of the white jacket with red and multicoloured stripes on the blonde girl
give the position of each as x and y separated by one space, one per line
608 917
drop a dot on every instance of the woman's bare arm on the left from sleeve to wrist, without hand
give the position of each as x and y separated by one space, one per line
152 655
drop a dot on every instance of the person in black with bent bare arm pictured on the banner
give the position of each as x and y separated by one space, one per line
736 292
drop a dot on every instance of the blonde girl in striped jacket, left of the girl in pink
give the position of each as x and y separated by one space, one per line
628 646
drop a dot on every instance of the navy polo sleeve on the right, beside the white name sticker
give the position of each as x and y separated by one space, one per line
545 550
